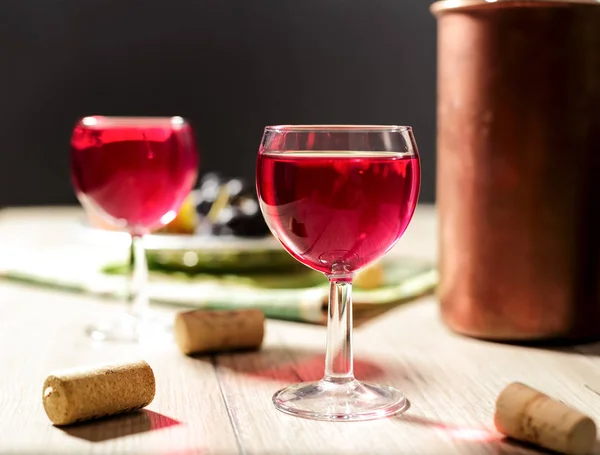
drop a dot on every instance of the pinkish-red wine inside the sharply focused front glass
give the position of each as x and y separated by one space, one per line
337 211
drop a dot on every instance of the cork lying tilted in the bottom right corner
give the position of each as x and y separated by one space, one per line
528 415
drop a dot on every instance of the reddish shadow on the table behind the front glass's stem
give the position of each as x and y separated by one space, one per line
287 364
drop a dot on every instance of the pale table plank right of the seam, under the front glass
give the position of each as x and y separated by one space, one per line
451 382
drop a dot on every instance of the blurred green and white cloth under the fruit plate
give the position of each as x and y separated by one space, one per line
299 295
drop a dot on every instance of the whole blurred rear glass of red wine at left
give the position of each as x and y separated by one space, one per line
134 173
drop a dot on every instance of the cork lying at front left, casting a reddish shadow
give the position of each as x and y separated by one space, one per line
78 394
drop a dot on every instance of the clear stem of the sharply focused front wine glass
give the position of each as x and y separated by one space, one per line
338 361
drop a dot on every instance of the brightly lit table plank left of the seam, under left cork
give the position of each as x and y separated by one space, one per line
42 330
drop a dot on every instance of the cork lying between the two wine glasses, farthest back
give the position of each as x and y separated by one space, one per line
203 331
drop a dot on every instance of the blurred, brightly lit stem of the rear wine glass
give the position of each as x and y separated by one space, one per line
138 281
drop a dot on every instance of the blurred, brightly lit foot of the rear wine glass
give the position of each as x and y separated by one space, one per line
132 329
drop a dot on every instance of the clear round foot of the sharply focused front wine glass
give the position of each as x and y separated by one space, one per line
334 401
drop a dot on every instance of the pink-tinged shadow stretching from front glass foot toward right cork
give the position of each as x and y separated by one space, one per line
480 438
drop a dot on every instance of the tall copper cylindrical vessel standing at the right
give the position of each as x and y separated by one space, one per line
518 177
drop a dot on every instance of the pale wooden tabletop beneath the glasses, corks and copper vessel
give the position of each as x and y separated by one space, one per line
222 404
